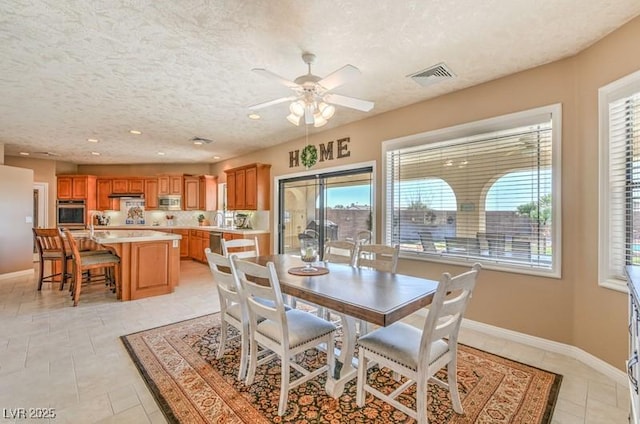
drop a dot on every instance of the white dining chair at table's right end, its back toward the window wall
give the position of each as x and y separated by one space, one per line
418 354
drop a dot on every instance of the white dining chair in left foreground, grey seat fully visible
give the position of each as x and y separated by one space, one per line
285 332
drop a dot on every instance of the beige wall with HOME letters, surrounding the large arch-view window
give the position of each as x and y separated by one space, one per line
573 309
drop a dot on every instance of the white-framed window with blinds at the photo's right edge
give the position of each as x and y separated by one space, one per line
619 180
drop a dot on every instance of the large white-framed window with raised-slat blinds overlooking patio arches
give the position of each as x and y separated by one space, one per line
487 191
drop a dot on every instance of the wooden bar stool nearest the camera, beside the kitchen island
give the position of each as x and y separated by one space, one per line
81 263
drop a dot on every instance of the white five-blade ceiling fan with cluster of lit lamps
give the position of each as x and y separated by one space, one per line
313 98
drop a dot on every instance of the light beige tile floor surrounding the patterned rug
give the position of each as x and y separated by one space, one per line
53 355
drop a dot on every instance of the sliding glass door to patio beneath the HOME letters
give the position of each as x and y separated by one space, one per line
330 206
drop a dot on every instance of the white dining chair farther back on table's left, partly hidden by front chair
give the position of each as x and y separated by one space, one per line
233 309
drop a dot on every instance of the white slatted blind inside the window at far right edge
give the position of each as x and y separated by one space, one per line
624 184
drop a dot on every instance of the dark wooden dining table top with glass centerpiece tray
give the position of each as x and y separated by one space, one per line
381 298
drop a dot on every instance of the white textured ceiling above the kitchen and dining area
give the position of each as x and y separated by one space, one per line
77 69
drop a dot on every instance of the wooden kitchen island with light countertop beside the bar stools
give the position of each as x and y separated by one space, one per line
149 260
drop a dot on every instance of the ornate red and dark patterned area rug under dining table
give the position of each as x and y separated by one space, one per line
178 362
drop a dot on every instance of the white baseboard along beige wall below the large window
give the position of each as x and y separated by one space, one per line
574 352
